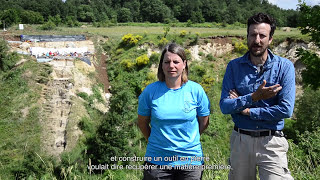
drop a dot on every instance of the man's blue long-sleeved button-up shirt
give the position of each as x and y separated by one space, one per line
245 78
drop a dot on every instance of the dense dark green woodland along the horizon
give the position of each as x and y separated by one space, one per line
165 11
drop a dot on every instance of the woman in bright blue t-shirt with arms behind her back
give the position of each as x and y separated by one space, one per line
178 111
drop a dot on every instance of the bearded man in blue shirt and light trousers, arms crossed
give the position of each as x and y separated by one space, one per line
259 92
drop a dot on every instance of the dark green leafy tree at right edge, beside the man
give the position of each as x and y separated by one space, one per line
308 109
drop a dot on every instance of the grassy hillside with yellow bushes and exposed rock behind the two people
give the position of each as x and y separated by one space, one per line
59 120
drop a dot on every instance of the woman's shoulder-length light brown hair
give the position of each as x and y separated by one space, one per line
176 49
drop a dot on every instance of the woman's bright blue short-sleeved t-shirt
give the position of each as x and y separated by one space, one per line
175 137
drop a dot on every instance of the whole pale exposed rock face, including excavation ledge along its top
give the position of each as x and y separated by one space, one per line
62 109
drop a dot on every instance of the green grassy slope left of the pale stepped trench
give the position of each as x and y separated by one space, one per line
20 118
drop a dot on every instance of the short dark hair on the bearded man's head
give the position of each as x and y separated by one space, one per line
262 18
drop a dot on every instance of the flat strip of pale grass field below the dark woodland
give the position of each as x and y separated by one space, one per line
117 32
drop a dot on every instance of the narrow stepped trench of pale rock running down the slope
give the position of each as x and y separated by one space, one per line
57 106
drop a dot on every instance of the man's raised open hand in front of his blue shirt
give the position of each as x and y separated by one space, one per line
265 92
